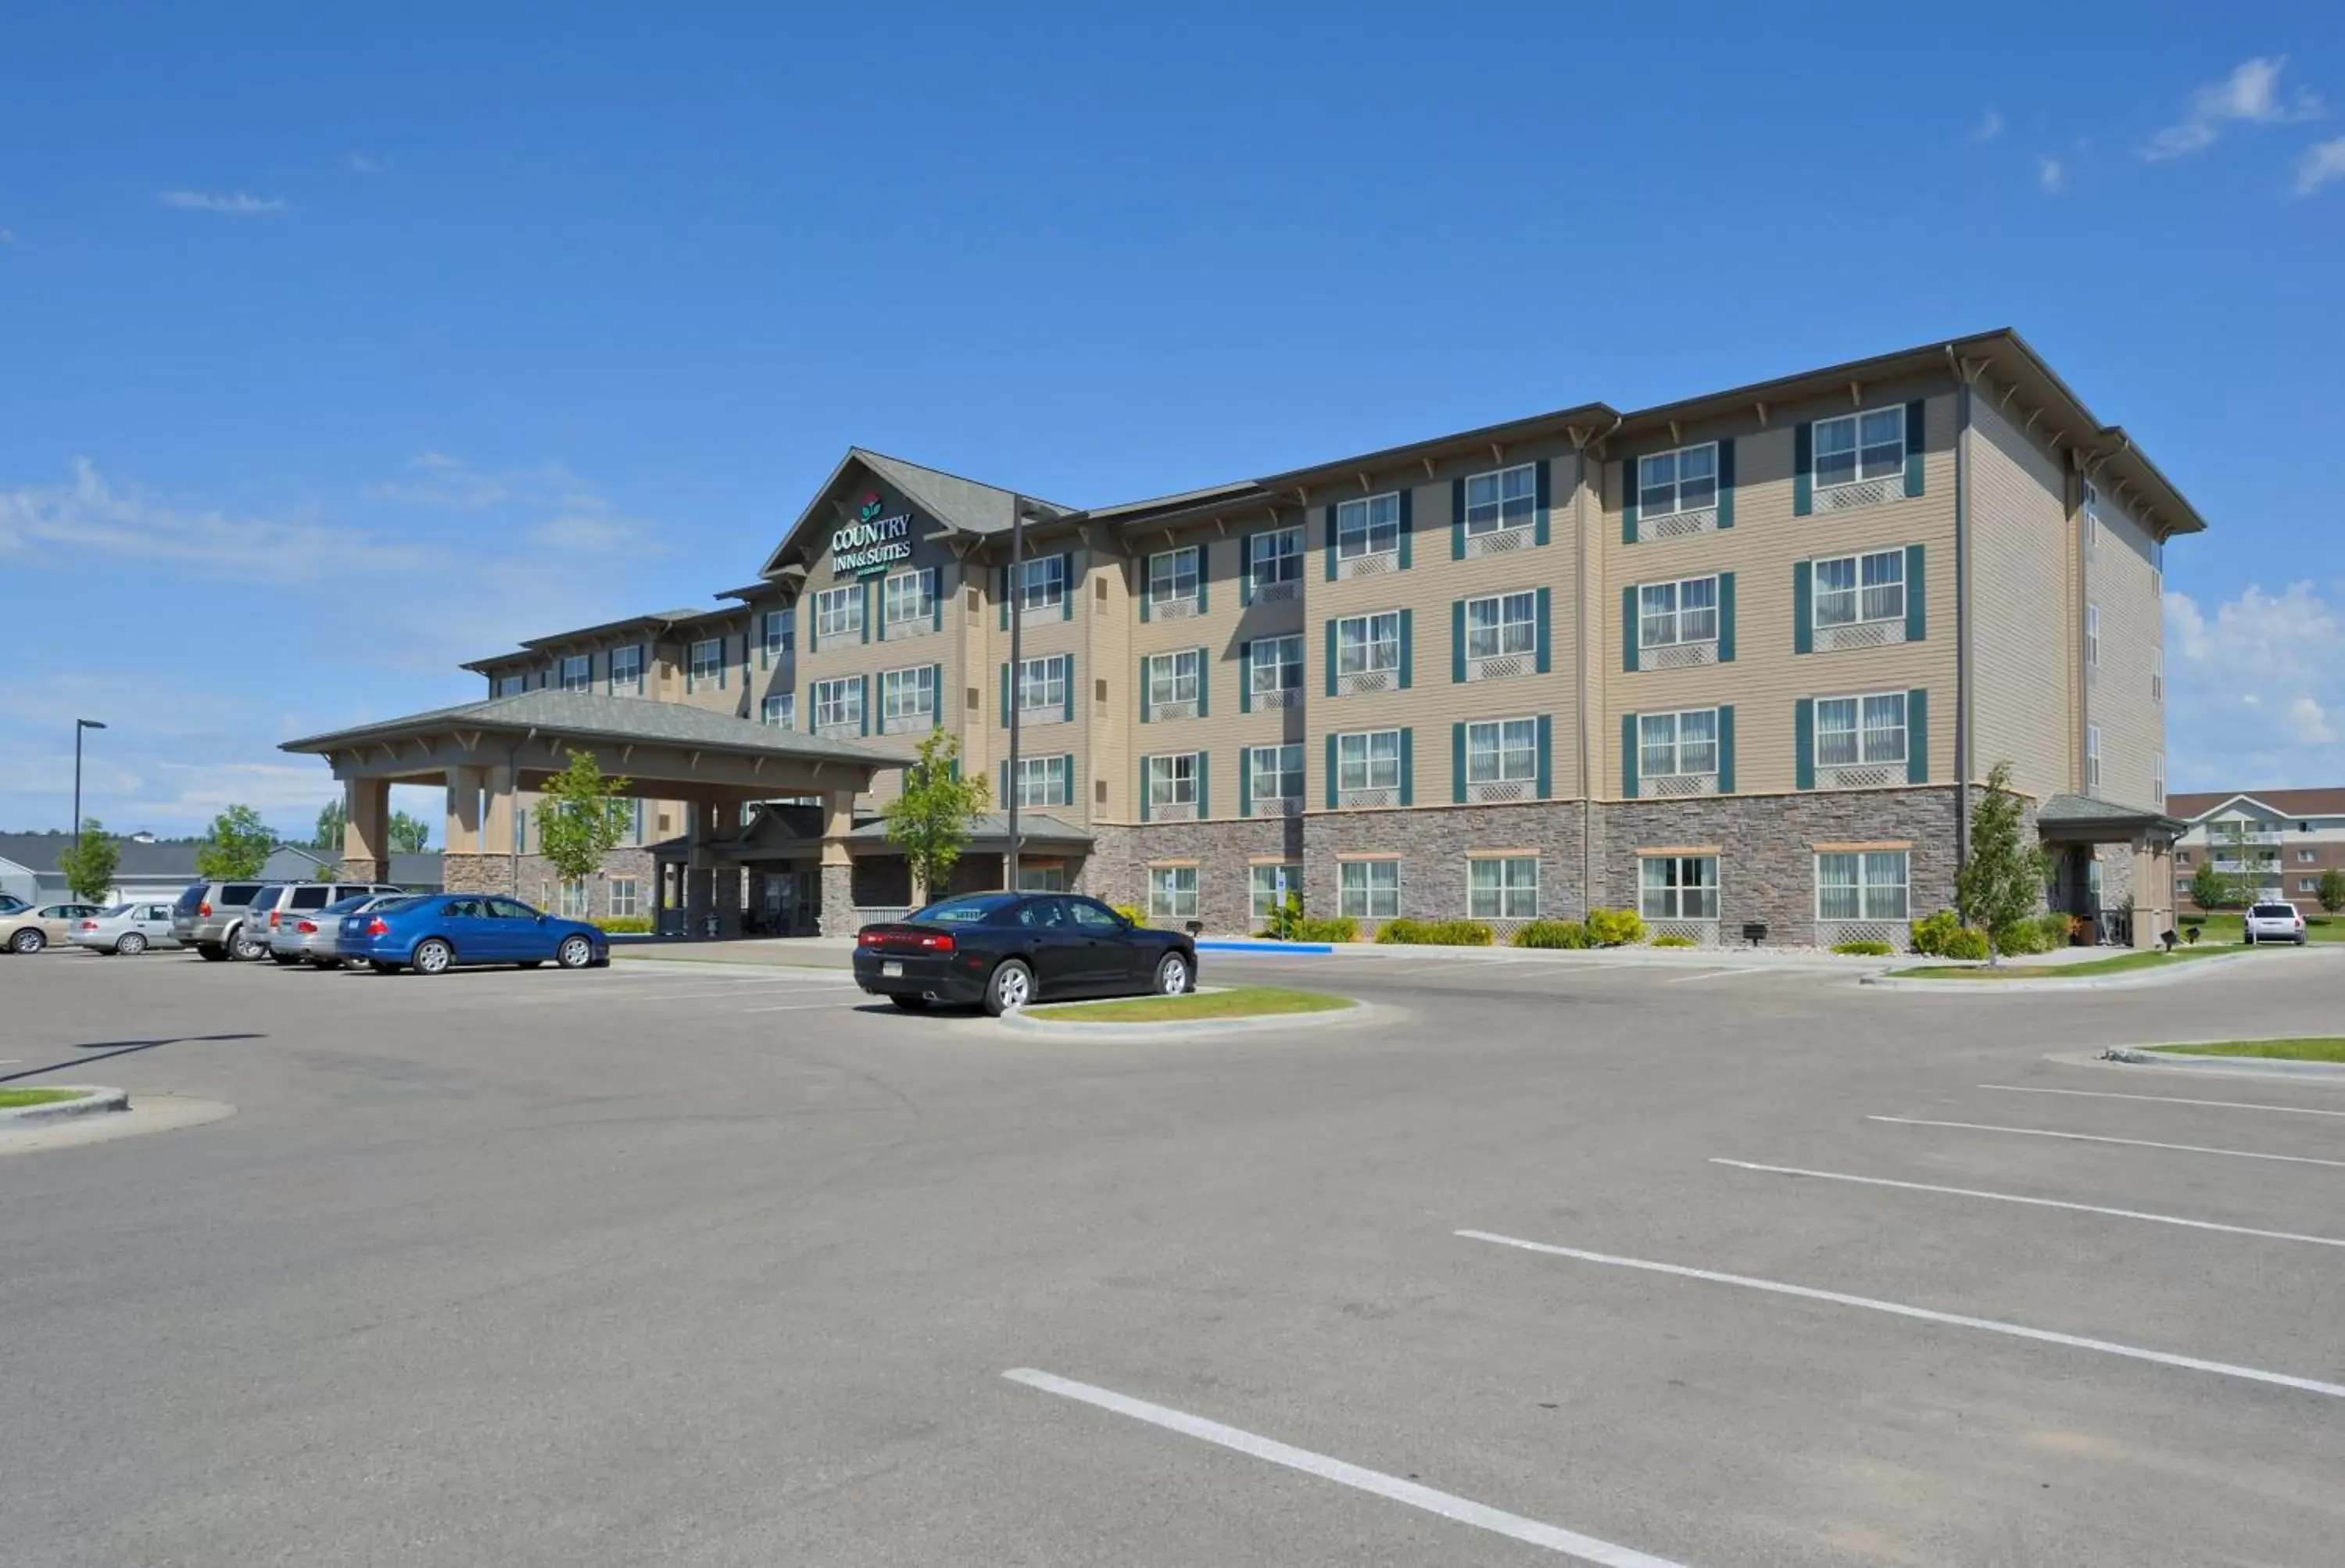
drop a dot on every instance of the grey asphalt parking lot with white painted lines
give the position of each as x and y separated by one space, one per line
719 1264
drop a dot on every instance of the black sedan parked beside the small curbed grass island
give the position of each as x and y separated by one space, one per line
1005 950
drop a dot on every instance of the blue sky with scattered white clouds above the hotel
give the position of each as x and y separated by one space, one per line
395 336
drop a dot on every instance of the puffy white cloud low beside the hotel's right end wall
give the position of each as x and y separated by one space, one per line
2257 690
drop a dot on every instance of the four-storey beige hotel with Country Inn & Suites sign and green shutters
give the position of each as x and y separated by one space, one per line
1729 662
